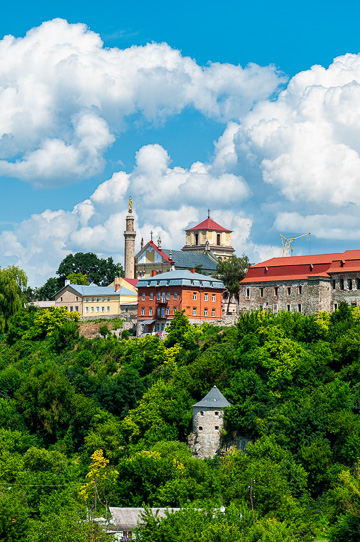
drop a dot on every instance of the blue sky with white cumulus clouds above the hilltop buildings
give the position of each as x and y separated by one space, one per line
249 109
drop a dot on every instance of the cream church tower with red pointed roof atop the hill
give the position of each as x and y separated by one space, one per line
209 236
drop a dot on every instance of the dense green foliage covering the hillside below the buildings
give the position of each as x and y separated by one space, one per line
117 412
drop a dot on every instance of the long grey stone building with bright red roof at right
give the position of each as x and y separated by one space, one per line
305 284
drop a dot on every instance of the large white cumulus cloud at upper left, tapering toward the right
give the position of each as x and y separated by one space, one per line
64 98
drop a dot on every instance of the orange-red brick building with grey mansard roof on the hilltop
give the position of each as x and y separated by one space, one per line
160 296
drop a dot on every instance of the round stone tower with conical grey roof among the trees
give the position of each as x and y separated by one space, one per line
208 421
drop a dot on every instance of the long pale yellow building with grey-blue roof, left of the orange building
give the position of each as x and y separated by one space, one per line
95 301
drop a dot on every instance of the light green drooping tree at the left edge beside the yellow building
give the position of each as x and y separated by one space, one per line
12 284
